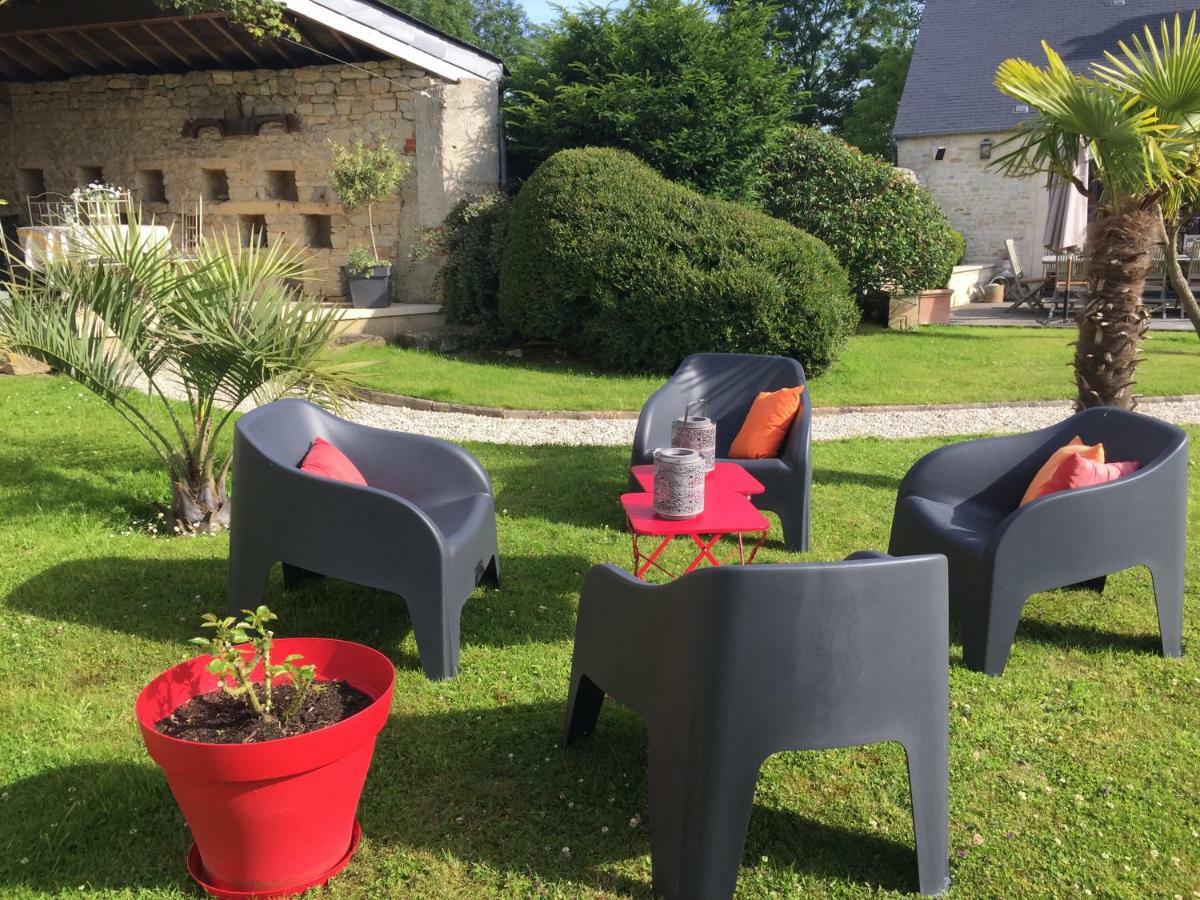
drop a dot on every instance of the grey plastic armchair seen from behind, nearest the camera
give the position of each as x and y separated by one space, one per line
731 665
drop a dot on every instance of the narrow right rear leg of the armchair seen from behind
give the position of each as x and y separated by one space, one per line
928 783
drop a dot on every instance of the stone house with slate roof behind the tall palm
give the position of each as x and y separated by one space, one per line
952 117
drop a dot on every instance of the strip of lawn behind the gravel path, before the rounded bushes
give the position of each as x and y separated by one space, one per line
935 365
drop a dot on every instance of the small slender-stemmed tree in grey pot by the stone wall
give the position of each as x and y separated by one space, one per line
364 176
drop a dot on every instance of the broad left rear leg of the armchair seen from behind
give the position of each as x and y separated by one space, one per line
700 811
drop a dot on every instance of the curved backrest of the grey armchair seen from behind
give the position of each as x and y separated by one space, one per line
812 652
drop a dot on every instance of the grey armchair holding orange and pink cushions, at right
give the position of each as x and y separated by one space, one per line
963 501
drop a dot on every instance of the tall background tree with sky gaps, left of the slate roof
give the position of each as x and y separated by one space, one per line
835 45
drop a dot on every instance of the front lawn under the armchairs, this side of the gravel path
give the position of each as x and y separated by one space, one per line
1076 772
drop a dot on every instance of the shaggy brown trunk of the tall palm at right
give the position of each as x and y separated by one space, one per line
1114 321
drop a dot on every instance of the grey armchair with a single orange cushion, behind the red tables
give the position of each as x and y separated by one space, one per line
730 382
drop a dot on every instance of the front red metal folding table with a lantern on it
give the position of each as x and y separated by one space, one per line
725 513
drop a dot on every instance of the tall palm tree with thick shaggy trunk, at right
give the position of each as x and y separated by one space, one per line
1139 117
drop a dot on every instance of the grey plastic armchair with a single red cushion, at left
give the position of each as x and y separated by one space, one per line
424 527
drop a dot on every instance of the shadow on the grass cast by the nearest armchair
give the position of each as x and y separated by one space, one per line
493 788
